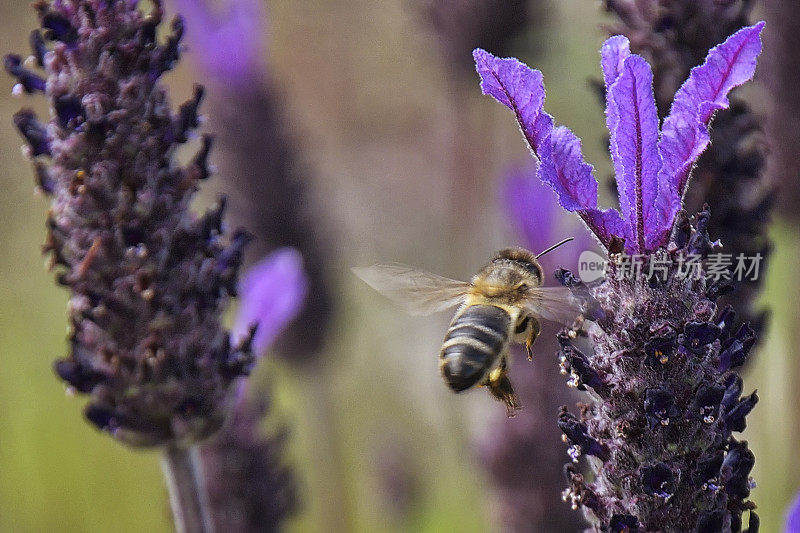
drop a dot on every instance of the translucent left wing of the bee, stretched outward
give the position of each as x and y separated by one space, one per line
419 292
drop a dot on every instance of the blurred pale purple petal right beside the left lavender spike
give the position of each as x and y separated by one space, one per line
272 293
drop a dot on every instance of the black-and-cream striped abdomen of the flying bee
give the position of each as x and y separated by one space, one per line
475 338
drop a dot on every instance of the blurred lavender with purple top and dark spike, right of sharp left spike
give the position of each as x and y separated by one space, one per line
265 177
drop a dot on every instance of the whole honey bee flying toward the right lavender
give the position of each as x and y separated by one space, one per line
501 304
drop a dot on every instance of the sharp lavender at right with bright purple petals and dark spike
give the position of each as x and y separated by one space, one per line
661 365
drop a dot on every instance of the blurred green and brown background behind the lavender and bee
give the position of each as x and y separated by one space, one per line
375 118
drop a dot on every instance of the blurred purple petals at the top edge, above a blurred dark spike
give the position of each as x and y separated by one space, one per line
230 41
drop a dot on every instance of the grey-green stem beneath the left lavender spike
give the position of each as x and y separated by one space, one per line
187 491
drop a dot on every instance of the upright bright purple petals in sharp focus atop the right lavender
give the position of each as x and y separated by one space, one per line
650 189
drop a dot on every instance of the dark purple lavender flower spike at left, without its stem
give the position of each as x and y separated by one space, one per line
148 278
